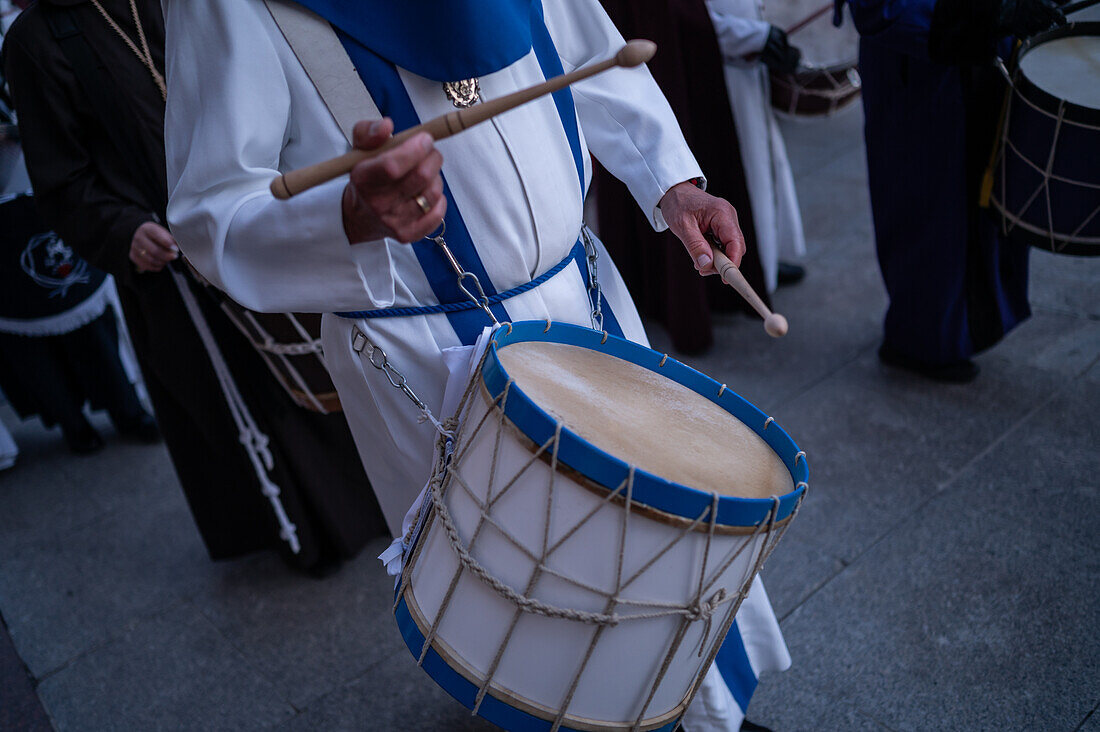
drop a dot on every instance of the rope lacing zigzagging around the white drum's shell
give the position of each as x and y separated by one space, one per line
707 604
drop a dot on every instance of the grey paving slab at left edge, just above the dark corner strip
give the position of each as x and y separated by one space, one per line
67 594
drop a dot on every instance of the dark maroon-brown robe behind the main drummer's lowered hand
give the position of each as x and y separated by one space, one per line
688 68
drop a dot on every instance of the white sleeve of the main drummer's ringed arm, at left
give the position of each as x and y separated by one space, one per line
229 121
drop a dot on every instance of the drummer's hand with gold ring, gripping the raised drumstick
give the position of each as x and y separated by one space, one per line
381 199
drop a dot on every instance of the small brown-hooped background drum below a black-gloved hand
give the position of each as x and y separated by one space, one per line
828 81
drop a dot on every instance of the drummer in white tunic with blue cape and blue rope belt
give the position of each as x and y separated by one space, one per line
430 243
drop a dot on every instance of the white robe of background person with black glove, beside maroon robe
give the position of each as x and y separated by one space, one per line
742 31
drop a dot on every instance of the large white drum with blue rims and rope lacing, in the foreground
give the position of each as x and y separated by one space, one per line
590 532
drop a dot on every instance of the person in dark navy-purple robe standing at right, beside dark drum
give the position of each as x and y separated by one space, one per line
931 101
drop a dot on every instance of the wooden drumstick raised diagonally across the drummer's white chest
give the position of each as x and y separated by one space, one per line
633 54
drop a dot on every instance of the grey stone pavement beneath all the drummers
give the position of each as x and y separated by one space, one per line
943 575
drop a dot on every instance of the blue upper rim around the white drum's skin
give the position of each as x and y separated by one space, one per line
609 472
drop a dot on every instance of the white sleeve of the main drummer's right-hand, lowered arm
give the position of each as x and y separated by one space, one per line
628 123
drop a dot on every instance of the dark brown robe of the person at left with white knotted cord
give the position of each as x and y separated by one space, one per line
90 194
